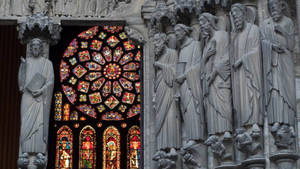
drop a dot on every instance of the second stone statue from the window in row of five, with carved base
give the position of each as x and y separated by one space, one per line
189 95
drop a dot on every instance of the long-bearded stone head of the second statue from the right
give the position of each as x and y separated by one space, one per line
238 12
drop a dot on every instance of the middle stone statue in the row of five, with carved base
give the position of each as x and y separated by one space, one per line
216 86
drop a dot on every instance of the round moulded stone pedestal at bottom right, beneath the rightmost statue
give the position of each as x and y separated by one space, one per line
285 160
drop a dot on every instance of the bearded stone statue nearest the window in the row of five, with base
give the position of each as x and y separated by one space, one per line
168 133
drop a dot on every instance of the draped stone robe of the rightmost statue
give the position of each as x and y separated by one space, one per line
279 71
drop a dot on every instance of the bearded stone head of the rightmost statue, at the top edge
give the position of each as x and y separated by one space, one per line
275 9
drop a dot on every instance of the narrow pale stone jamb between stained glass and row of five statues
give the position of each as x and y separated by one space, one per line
149 141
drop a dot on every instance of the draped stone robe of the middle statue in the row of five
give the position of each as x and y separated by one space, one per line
217 96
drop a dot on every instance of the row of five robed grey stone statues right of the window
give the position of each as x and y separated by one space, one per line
220 89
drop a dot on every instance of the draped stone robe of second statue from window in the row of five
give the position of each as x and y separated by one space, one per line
191 103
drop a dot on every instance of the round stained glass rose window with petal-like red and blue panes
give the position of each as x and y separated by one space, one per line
99 73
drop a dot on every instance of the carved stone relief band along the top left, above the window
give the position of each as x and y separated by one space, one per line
82 8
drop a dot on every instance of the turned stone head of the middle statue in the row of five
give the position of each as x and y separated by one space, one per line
207 24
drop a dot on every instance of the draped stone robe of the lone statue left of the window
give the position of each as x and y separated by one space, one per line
35 111
